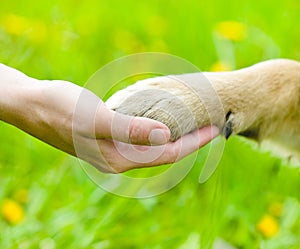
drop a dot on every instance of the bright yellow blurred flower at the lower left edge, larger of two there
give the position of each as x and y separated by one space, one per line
12 211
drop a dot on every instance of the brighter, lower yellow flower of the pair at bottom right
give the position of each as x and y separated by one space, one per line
268 226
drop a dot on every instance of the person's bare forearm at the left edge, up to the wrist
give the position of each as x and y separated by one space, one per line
24 104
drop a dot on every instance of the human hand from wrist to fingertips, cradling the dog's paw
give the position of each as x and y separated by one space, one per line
111 141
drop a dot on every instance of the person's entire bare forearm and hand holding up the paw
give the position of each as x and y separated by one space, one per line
46 110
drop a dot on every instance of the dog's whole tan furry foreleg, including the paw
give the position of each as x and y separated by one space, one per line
261 101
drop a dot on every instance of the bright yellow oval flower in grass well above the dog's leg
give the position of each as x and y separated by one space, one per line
231 30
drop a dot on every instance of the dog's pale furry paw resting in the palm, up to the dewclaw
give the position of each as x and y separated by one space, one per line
170 101
